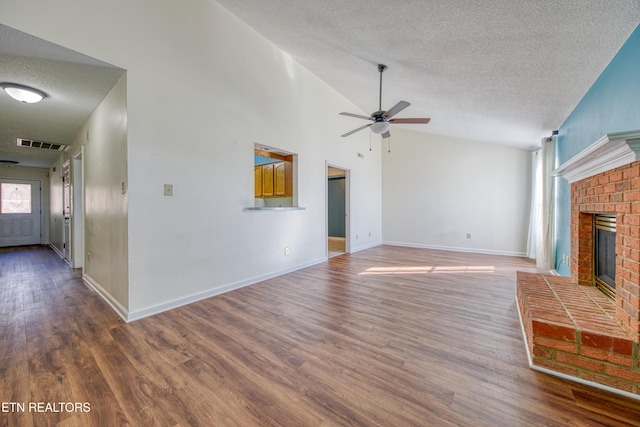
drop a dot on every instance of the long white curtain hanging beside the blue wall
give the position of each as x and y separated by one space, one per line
540 244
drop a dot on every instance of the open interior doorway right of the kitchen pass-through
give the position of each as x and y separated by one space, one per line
337 211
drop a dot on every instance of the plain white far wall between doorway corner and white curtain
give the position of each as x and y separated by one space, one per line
437 189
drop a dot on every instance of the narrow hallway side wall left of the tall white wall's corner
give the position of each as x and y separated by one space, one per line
104 141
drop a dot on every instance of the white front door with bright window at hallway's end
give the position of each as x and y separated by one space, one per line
19 212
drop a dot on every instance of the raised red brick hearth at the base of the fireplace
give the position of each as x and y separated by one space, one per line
571 329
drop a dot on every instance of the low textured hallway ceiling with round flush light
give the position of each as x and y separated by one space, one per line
75 85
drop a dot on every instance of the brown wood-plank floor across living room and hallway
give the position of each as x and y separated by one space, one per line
384 337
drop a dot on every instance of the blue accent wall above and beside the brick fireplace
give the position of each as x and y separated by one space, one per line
611 105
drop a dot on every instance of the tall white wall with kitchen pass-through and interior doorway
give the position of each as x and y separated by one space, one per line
202 89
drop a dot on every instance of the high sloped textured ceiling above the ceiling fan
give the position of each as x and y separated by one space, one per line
497 71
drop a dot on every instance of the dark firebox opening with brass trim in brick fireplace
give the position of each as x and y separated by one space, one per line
604 254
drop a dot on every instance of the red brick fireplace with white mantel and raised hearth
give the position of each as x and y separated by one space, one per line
570 327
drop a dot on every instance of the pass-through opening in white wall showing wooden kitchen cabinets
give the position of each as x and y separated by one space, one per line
274 177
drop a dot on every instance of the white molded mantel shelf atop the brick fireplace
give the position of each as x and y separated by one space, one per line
609 152
